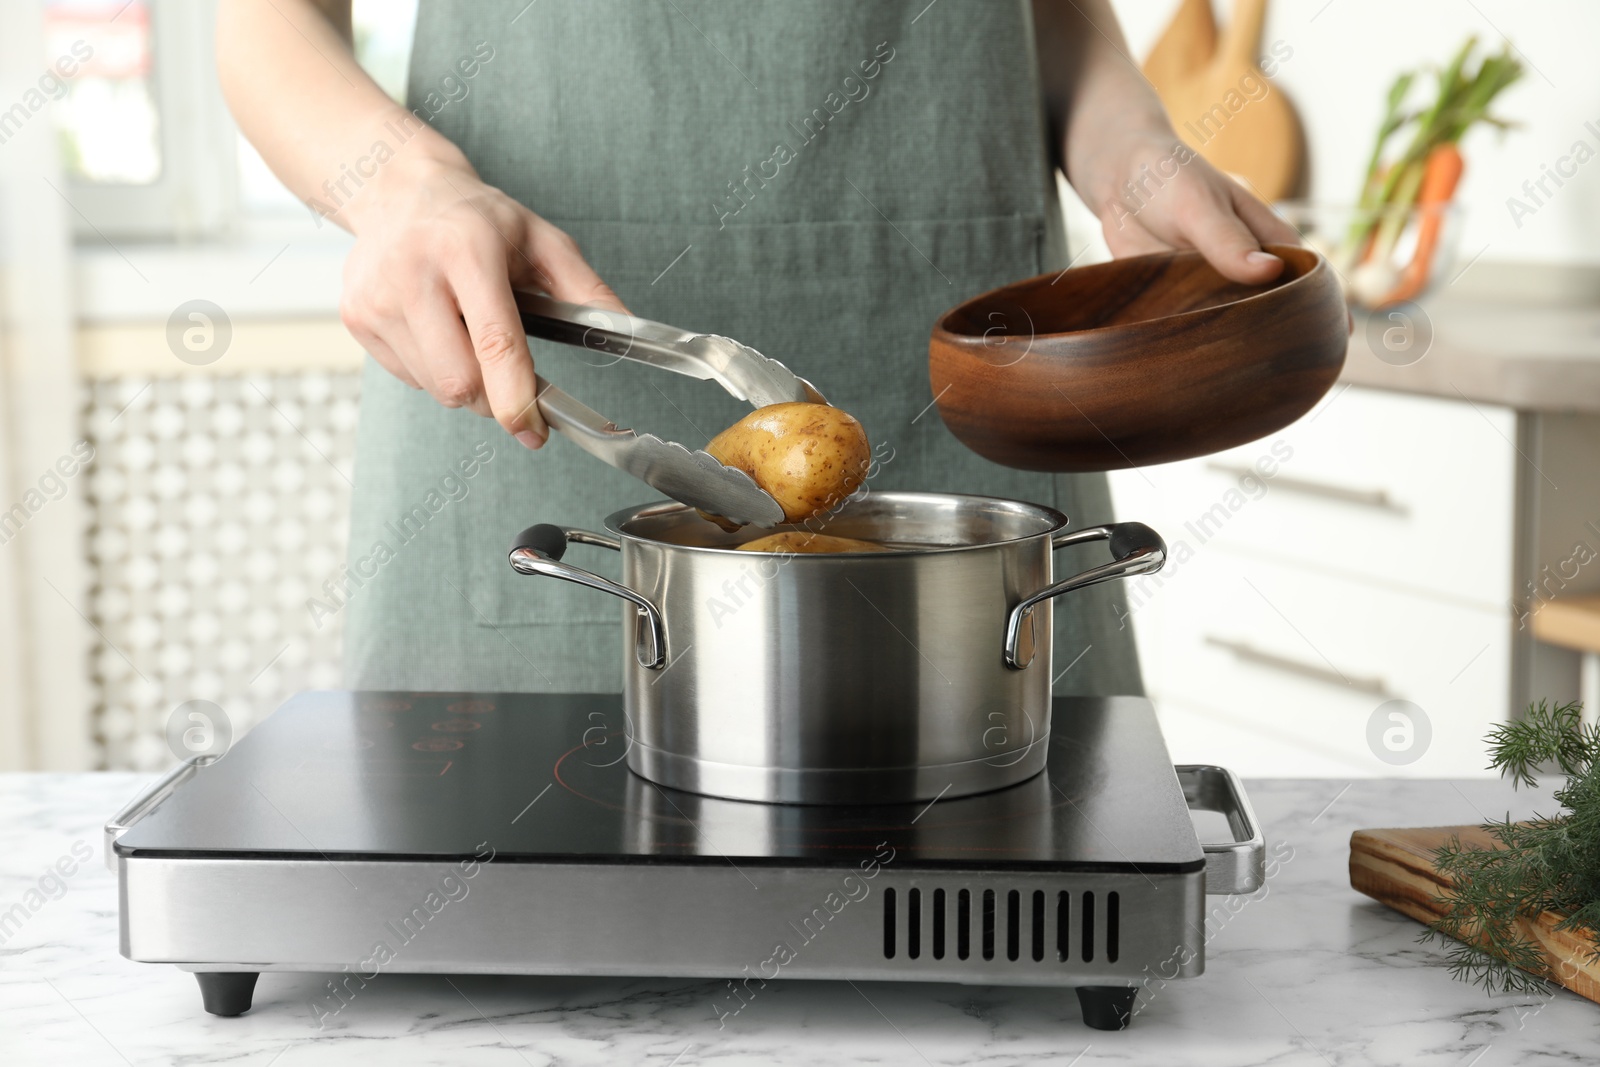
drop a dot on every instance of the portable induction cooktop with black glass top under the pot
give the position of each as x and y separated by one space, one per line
452 833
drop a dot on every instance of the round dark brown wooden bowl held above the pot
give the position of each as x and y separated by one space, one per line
1138 361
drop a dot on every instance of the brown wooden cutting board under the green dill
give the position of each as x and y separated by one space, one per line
1396 868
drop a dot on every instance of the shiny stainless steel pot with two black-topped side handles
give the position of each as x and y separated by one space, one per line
870 677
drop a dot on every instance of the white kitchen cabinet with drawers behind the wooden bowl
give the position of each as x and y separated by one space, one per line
1388 548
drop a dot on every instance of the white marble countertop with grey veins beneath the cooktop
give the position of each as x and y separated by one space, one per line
1305 972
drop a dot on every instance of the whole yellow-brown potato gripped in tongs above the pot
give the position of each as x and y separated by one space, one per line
810 457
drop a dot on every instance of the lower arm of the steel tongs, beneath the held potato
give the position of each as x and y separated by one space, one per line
689 476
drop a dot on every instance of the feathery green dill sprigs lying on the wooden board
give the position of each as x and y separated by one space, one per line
1545 865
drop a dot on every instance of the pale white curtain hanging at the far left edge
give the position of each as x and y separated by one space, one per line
46 637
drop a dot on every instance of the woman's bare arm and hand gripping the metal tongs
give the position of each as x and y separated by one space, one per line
428 287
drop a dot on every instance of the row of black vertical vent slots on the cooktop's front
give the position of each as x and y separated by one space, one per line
1010 925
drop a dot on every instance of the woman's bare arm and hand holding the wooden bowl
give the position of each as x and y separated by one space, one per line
1110 127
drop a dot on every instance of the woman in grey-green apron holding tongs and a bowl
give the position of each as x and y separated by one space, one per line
818 178
